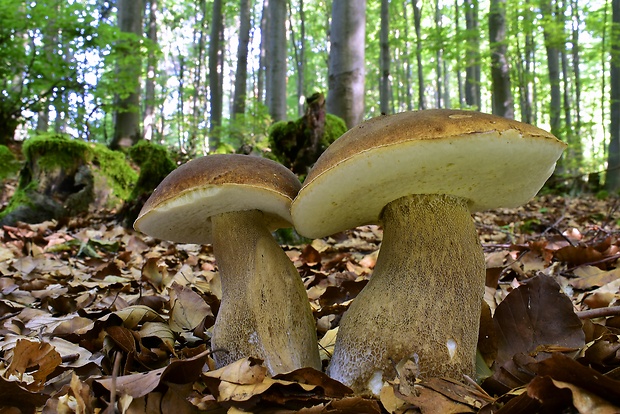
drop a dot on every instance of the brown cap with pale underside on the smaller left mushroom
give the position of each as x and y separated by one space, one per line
181 207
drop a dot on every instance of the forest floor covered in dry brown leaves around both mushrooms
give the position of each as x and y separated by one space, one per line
92 313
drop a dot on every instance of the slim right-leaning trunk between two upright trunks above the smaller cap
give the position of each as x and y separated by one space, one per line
241 76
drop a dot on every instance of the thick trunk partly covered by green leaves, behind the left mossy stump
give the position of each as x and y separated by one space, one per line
127 116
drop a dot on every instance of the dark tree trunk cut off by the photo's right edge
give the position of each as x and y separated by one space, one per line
612 180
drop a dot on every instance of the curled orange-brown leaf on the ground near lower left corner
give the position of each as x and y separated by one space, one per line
30 354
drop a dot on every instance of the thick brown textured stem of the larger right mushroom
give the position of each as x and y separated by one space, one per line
423 300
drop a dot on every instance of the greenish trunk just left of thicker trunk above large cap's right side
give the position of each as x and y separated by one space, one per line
472 55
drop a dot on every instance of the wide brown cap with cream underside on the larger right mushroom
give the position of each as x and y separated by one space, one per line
488 160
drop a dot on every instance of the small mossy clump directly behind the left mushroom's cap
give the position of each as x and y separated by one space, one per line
155 164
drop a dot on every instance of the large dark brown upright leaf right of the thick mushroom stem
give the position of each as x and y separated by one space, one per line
536 314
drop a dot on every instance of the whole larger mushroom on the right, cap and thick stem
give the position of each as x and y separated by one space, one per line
419 175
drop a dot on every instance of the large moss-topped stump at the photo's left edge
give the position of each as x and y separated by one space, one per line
64 176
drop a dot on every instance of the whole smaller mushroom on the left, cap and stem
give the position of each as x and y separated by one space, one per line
233 202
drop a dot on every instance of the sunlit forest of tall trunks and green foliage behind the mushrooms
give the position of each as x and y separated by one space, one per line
210 76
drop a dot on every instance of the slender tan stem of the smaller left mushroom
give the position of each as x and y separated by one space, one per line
264 312
